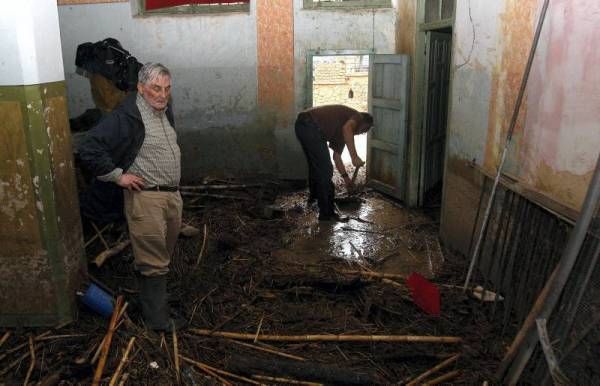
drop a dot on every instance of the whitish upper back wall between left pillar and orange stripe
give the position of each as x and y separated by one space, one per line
212 58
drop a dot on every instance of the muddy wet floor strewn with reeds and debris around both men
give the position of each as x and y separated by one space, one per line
264 266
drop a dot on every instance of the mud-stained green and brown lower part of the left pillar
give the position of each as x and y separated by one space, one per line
41 247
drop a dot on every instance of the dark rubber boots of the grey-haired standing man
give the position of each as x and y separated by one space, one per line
155 305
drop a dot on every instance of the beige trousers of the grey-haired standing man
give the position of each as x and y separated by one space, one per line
154 220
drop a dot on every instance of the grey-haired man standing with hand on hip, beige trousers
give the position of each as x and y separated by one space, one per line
134 150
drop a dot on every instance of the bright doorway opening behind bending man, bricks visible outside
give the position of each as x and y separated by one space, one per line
342 79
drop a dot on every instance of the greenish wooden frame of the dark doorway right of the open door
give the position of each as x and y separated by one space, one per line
414 195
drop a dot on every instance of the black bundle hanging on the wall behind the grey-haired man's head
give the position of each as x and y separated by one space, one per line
109 59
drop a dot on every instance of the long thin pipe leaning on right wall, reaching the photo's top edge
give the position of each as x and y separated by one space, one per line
509 134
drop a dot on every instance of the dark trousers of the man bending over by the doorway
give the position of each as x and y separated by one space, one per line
320 169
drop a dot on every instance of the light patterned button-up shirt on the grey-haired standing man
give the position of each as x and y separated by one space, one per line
159 159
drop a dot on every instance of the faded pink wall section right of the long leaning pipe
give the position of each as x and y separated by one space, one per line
562 132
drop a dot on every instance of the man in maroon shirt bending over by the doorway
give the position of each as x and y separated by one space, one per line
336 125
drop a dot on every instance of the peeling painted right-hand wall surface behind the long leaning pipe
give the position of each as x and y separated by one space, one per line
557 138
